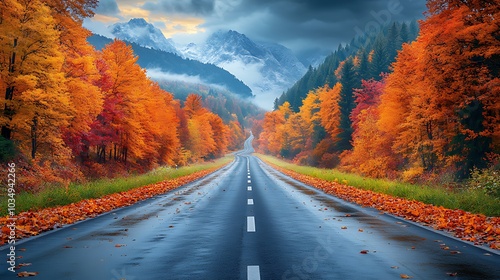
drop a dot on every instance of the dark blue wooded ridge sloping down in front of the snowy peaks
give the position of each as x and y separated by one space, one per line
169 66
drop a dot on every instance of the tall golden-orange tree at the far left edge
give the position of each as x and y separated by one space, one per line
36 102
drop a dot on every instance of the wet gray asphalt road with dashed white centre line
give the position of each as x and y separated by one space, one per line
248 221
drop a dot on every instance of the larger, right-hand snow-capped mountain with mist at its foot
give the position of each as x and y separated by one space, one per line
267 68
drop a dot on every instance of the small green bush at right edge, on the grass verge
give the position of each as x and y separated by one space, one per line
487 180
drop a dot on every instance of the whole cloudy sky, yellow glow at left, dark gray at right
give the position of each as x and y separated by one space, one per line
301 25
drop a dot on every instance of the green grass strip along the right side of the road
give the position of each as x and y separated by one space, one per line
474 201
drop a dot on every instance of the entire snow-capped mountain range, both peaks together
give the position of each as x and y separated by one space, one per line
267 68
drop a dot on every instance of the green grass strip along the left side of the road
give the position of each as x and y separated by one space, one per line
57 196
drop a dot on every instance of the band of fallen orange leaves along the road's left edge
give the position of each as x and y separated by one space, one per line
32 223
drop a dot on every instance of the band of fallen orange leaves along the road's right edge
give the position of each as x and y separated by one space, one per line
476 228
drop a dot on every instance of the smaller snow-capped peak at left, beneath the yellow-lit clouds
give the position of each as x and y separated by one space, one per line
141 32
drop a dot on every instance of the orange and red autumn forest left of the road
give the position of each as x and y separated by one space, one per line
71 112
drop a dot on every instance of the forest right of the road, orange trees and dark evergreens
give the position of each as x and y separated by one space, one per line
422 109
